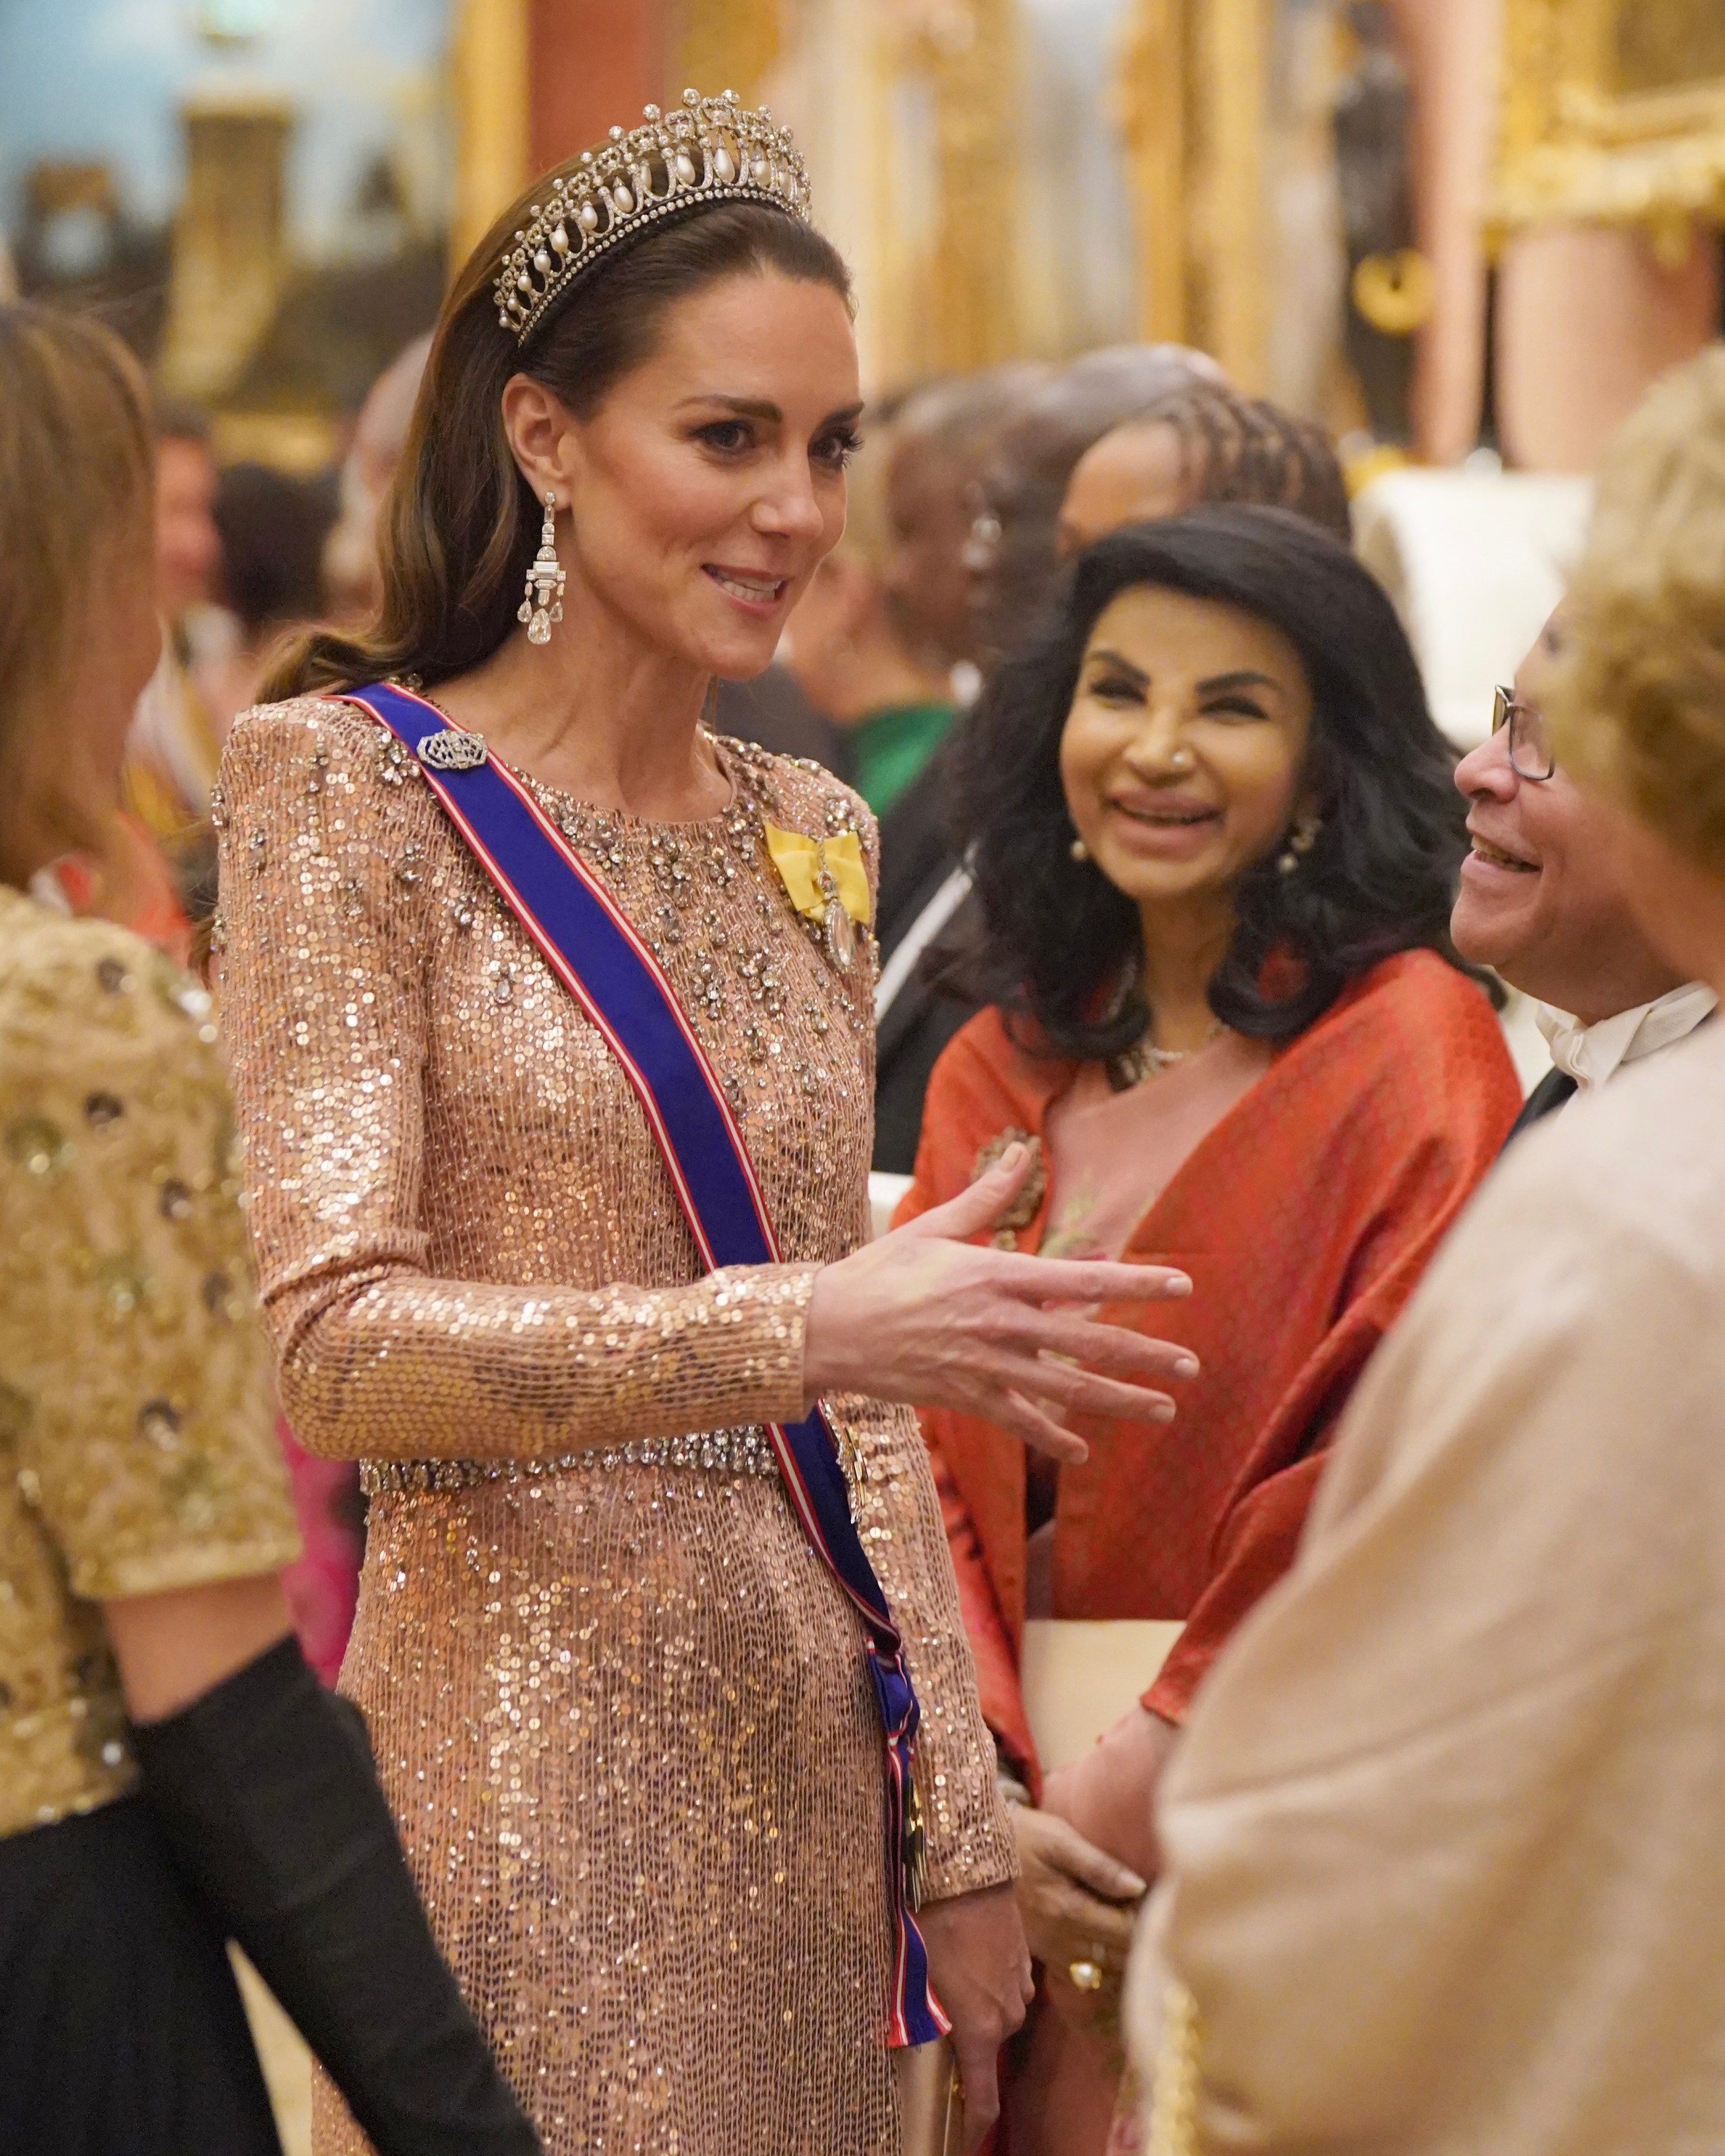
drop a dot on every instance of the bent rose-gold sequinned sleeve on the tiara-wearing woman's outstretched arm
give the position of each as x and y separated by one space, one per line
327 980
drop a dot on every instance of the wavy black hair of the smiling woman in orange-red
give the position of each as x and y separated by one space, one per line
1381 876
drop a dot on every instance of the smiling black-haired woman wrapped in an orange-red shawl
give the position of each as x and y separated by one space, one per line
1215 838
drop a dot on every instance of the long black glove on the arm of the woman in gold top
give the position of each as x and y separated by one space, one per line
271 1803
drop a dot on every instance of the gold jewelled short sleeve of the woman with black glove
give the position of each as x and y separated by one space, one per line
135 1379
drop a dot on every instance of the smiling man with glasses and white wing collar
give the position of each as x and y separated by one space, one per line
1543 902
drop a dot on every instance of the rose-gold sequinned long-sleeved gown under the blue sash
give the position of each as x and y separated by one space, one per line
618 1704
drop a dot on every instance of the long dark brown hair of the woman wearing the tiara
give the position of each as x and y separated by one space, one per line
460 523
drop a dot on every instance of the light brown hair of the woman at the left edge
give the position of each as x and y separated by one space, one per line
77 499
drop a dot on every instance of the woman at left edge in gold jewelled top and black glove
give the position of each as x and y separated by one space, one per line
169 1769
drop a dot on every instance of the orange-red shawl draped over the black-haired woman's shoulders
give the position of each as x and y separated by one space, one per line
1306 1219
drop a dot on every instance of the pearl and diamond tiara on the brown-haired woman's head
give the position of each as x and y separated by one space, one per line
708 150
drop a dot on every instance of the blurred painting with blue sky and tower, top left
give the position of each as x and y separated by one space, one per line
253 191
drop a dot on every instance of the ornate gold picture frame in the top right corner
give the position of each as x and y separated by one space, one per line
1614 113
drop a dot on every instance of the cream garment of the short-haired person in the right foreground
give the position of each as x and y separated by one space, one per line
1446 1842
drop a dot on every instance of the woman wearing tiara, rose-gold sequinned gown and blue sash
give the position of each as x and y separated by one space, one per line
631 1670
